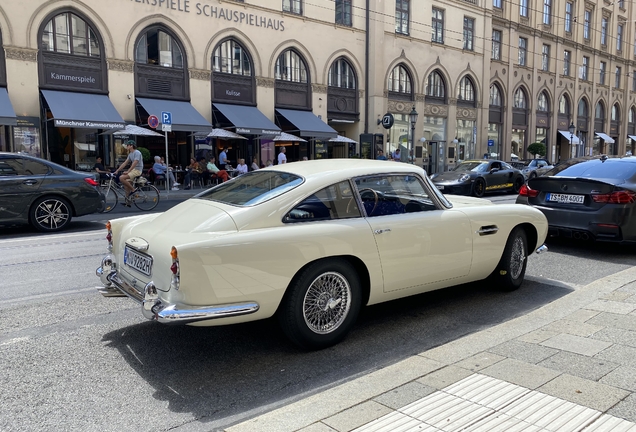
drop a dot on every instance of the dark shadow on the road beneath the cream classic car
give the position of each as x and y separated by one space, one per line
217 372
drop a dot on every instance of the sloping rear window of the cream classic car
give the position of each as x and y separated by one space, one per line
253 188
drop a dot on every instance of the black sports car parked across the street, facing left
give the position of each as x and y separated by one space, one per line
477 177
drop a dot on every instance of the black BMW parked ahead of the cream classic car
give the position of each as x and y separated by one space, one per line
588 198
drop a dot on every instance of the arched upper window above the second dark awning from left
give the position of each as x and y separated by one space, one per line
156 47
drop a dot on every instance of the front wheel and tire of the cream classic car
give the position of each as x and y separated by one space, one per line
511 269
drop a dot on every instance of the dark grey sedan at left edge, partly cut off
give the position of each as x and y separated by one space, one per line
44 194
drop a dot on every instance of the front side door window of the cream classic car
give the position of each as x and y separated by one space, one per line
393 194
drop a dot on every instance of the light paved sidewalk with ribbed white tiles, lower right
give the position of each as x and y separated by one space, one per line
568 366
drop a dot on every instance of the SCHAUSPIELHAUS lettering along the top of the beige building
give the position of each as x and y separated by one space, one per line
213 11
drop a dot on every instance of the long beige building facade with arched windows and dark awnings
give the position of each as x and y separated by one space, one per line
483 78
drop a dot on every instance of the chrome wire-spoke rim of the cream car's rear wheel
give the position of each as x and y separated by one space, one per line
327 302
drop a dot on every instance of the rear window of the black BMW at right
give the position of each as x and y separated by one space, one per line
614 169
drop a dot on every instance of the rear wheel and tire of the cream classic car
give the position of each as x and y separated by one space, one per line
321 305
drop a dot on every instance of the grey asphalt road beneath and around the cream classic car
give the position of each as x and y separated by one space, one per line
74 360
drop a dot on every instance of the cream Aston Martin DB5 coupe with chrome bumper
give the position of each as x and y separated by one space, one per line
312 242
